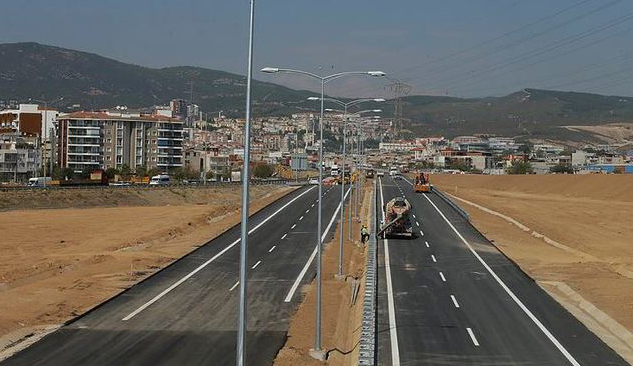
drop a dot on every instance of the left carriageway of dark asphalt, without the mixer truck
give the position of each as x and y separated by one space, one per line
186 313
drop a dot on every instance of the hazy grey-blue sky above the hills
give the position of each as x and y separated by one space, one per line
454 47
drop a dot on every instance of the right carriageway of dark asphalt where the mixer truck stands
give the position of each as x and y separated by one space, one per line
449 297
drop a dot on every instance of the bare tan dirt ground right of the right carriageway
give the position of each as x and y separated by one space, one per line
587 224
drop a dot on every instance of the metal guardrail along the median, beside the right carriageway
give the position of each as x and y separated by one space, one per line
367 345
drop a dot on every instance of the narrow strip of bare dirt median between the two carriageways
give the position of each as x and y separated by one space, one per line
341 320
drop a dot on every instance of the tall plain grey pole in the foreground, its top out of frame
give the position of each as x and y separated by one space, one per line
241 327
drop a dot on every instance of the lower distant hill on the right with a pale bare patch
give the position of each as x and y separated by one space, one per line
530 113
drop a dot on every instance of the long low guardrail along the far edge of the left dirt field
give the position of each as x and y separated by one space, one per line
145 186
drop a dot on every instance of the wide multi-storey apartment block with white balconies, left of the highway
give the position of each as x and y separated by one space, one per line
102 140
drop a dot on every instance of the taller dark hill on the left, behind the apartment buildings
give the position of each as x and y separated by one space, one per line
32 70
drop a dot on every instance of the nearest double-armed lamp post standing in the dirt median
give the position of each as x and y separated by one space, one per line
317 352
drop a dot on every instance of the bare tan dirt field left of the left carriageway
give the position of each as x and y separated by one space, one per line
57 263
